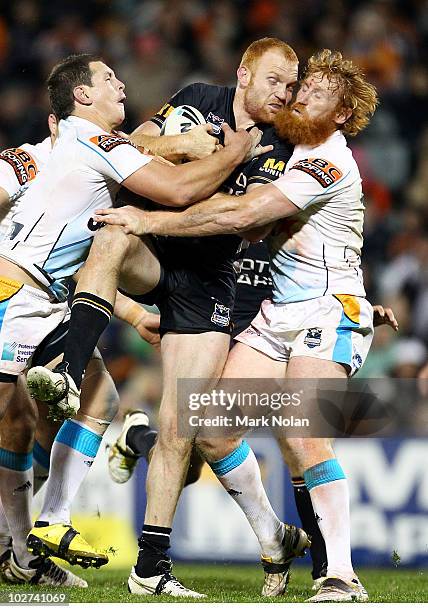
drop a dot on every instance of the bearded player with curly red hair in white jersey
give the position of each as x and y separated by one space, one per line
318 285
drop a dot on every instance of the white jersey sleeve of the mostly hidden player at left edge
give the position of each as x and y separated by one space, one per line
17 167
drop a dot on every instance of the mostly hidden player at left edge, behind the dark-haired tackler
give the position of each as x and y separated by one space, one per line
20 453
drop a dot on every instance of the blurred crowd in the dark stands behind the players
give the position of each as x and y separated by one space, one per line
157 46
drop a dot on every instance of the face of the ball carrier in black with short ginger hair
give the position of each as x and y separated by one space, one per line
271 86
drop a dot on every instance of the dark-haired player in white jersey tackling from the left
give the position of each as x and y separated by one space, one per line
52 227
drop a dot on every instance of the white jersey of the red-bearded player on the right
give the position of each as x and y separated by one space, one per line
317 251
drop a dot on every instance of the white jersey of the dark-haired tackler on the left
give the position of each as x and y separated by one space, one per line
52 228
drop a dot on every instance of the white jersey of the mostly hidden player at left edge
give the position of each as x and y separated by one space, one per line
18 167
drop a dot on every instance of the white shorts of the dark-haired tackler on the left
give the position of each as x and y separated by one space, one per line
27 316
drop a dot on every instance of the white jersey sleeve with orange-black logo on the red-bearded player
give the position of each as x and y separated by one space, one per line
310 181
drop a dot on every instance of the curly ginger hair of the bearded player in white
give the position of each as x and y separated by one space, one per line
357 94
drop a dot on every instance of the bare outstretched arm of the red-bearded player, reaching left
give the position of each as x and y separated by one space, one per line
221 215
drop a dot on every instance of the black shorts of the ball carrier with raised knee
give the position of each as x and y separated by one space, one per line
196 292
